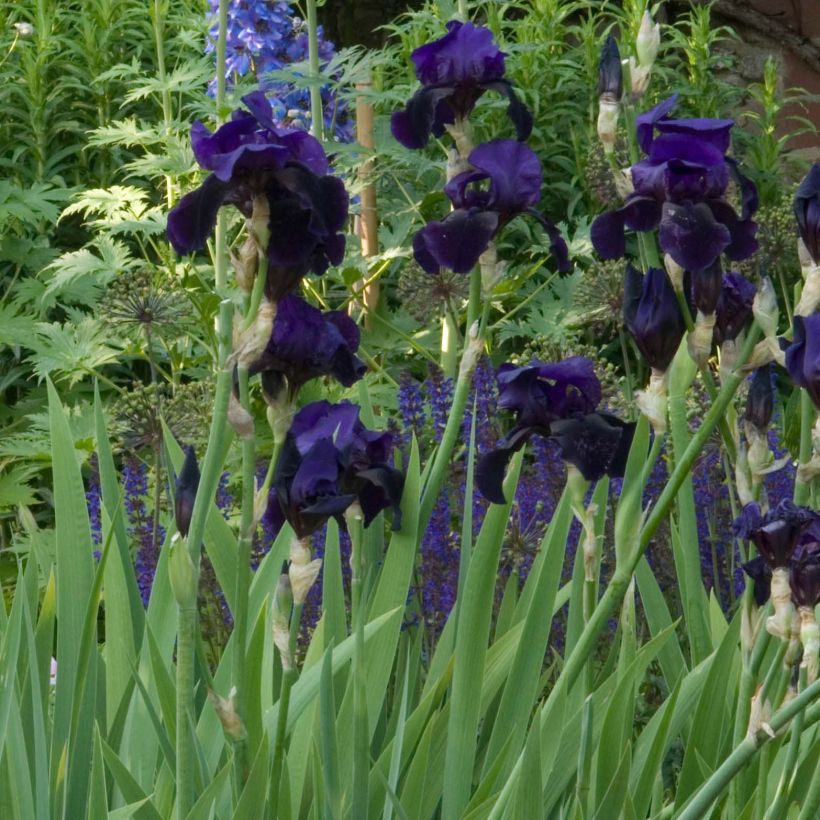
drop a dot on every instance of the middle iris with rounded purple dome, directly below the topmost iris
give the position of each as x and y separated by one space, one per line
513 176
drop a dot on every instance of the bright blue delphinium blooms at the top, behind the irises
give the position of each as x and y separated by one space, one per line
265 36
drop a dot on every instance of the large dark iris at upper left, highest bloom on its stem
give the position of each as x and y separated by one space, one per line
250 157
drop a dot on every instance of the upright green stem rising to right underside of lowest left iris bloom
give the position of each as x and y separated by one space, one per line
361 732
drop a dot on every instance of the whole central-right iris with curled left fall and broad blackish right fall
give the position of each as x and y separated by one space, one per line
556 400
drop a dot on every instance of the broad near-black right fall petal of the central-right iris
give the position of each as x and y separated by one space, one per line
596 444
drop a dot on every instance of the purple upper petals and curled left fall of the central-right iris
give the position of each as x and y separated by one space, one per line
540 395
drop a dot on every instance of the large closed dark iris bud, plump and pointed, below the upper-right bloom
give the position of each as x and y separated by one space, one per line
653 316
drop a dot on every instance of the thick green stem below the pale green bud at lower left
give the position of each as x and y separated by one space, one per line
186 643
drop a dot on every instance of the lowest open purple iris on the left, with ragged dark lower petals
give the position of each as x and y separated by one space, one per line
329 460
